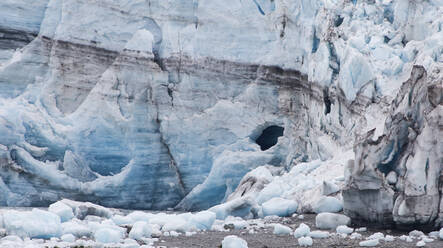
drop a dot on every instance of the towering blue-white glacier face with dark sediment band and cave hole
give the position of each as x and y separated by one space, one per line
157 104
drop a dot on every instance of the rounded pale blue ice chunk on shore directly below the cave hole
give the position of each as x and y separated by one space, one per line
280 207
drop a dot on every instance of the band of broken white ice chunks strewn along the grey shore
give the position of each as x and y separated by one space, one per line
68 223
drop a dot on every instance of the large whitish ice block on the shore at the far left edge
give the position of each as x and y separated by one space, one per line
33 224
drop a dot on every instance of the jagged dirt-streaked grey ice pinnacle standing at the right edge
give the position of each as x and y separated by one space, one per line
409 147
